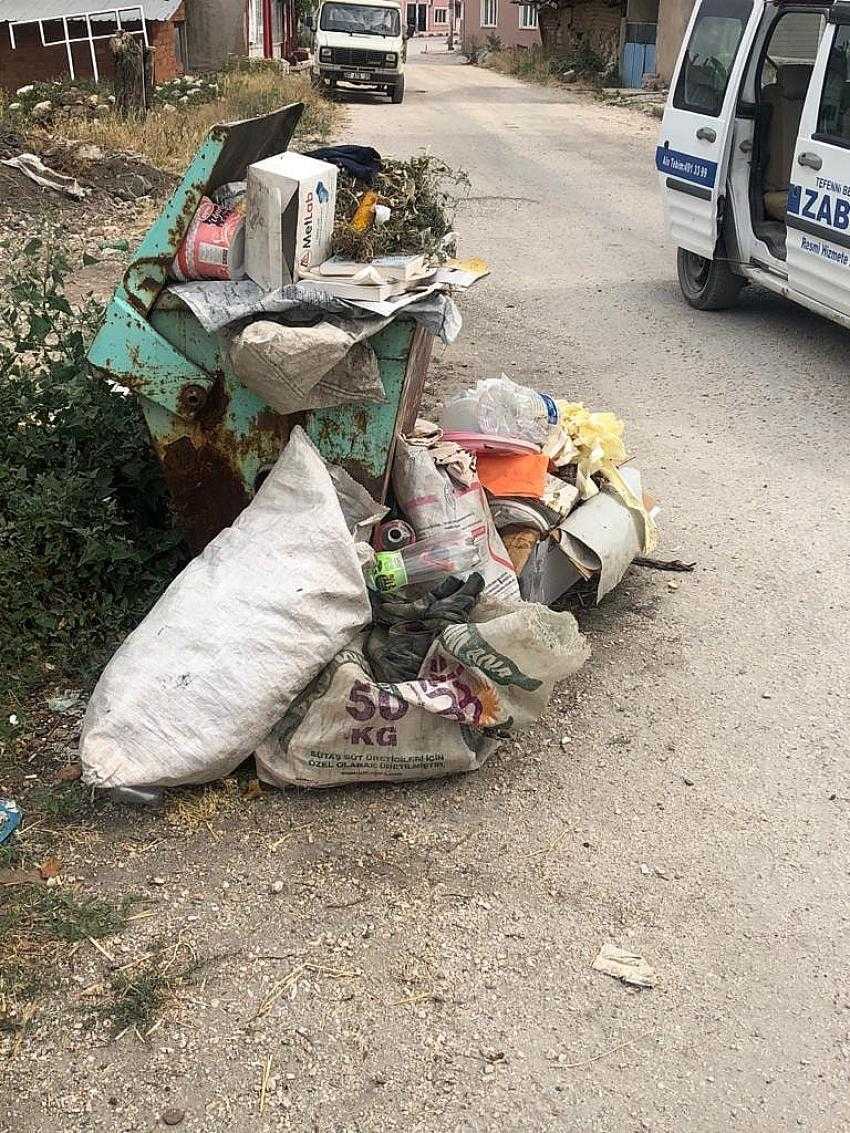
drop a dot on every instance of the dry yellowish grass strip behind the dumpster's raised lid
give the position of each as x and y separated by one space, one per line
169 138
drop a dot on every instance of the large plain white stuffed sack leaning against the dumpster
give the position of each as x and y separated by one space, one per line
245 627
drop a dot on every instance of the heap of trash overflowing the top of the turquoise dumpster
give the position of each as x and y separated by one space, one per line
304 262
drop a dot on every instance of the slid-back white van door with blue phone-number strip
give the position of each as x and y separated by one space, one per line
696 133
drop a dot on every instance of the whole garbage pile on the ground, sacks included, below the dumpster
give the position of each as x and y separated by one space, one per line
339 640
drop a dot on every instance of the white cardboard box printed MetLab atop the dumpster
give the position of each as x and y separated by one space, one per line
290 218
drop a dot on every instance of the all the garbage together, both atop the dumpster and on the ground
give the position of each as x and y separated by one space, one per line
334 636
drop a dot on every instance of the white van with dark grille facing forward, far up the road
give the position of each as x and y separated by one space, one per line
360 44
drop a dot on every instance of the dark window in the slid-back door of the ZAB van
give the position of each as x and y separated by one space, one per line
711 54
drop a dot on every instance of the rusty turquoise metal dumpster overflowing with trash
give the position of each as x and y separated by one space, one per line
216 439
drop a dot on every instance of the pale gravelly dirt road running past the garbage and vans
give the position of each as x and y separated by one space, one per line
686 797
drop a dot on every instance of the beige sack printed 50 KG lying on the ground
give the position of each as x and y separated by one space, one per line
499 674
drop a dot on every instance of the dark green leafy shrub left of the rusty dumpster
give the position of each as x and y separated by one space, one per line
87 541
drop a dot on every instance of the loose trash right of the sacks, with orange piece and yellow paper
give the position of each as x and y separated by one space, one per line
567 509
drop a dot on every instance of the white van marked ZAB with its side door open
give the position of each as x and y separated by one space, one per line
754 155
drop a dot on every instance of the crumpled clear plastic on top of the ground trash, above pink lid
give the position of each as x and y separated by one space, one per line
501 408
